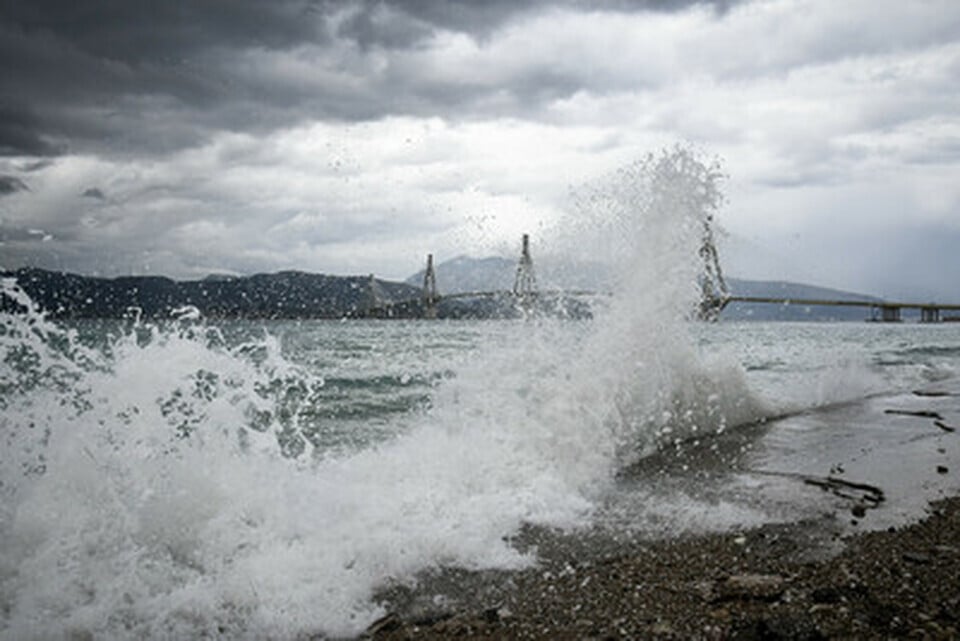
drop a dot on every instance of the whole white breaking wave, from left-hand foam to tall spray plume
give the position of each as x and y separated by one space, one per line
164 483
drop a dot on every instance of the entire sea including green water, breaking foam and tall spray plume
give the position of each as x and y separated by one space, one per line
192 478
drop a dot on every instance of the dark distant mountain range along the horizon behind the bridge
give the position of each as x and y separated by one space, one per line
294 294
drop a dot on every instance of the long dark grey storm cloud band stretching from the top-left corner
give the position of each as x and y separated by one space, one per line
140 76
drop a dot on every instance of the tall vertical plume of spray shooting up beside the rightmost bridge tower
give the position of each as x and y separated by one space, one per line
648 220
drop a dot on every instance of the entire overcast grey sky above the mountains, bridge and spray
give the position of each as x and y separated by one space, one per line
187 137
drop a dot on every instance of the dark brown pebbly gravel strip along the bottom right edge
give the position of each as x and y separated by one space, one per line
773 582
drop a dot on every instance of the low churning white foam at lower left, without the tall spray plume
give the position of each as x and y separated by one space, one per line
133 531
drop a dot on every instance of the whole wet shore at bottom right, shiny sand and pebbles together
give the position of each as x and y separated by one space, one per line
865 544
